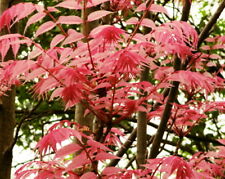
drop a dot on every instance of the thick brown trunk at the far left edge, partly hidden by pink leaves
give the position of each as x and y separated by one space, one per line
7 121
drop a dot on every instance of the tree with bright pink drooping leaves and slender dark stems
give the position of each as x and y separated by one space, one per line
134 68
